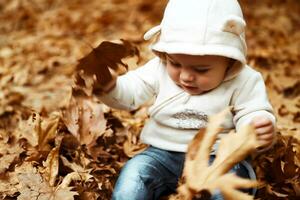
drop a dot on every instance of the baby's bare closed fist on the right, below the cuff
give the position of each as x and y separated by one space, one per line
265 131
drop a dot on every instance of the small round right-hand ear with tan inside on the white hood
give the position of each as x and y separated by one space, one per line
234 24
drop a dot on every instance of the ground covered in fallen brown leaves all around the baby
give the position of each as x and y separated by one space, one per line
40 42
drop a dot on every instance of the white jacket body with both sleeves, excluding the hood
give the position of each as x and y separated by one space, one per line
176 116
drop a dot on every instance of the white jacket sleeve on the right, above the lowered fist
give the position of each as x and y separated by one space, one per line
251 100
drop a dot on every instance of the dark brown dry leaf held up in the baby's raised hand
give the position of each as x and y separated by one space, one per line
103 64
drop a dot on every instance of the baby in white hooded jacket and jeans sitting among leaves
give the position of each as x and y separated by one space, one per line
199 70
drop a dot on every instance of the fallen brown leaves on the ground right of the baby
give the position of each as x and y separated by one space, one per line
274 49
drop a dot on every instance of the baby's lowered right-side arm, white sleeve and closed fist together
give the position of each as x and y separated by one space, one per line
251 106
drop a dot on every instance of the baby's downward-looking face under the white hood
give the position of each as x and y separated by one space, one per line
197 74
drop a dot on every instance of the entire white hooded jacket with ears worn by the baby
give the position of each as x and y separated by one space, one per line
194 27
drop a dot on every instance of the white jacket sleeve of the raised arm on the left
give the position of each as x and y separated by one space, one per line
135 87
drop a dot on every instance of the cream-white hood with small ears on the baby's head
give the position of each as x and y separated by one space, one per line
202 27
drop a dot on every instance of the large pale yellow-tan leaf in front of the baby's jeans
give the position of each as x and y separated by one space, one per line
233 148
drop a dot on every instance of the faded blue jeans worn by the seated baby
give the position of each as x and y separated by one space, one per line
155 173
